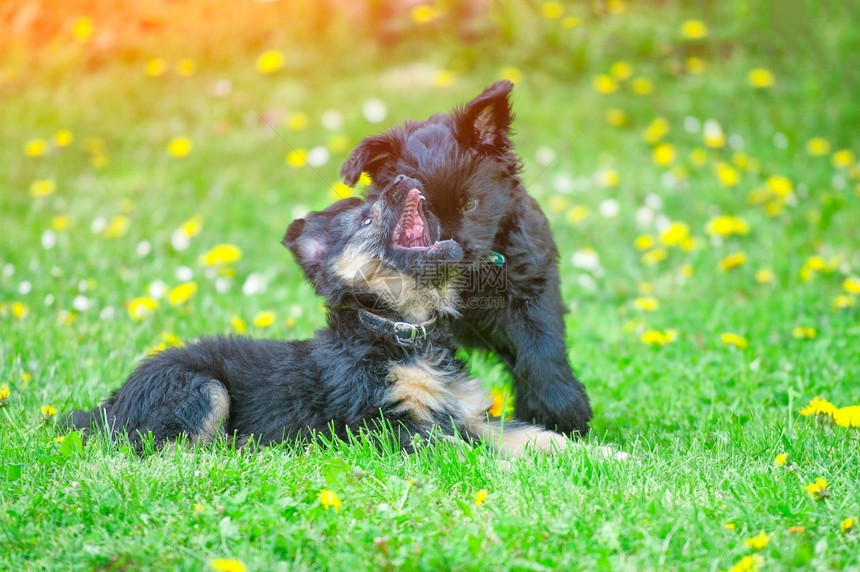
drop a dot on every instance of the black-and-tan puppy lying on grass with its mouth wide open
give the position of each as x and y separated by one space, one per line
386 279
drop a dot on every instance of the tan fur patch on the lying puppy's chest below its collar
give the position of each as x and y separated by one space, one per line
420 390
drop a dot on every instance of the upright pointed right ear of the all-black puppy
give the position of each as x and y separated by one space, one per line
485 122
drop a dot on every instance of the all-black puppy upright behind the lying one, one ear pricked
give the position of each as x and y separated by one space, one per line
470 173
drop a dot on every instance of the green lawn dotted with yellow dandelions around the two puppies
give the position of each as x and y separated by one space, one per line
699 166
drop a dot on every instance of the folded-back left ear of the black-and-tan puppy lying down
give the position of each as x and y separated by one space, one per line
311 237
